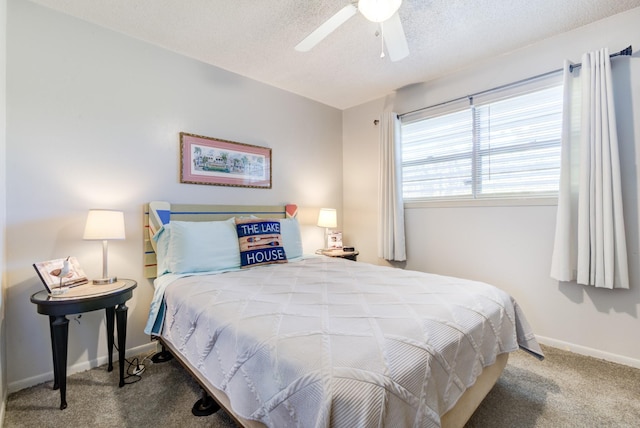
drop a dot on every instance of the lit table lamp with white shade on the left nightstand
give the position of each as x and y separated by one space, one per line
104 225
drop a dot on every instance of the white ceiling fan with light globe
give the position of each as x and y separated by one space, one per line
384 12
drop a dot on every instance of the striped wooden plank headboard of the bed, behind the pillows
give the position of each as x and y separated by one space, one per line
157 213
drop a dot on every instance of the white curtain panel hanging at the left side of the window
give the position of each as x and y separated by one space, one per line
391 239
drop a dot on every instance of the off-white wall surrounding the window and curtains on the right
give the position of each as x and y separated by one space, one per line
511 246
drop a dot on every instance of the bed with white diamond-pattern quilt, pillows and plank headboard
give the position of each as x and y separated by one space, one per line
314 341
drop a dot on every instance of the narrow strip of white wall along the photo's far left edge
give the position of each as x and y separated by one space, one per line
3 200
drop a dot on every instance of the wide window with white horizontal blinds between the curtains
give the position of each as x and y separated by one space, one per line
503 143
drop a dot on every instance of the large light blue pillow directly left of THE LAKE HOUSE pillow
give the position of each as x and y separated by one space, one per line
202 246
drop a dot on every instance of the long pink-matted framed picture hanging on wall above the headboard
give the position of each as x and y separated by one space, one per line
206 160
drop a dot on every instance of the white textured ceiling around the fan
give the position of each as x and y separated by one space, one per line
256 38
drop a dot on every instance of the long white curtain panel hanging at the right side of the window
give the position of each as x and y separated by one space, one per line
590 245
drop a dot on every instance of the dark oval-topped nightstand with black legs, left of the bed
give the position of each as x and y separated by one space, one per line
111 298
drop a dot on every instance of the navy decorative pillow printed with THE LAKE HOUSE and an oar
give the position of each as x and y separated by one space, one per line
260 242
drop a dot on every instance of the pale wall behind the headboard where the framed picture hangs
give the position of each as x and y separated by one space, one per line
93 121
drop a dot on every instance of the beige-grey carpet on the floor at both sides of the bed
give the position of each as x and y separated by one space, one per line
564 390
